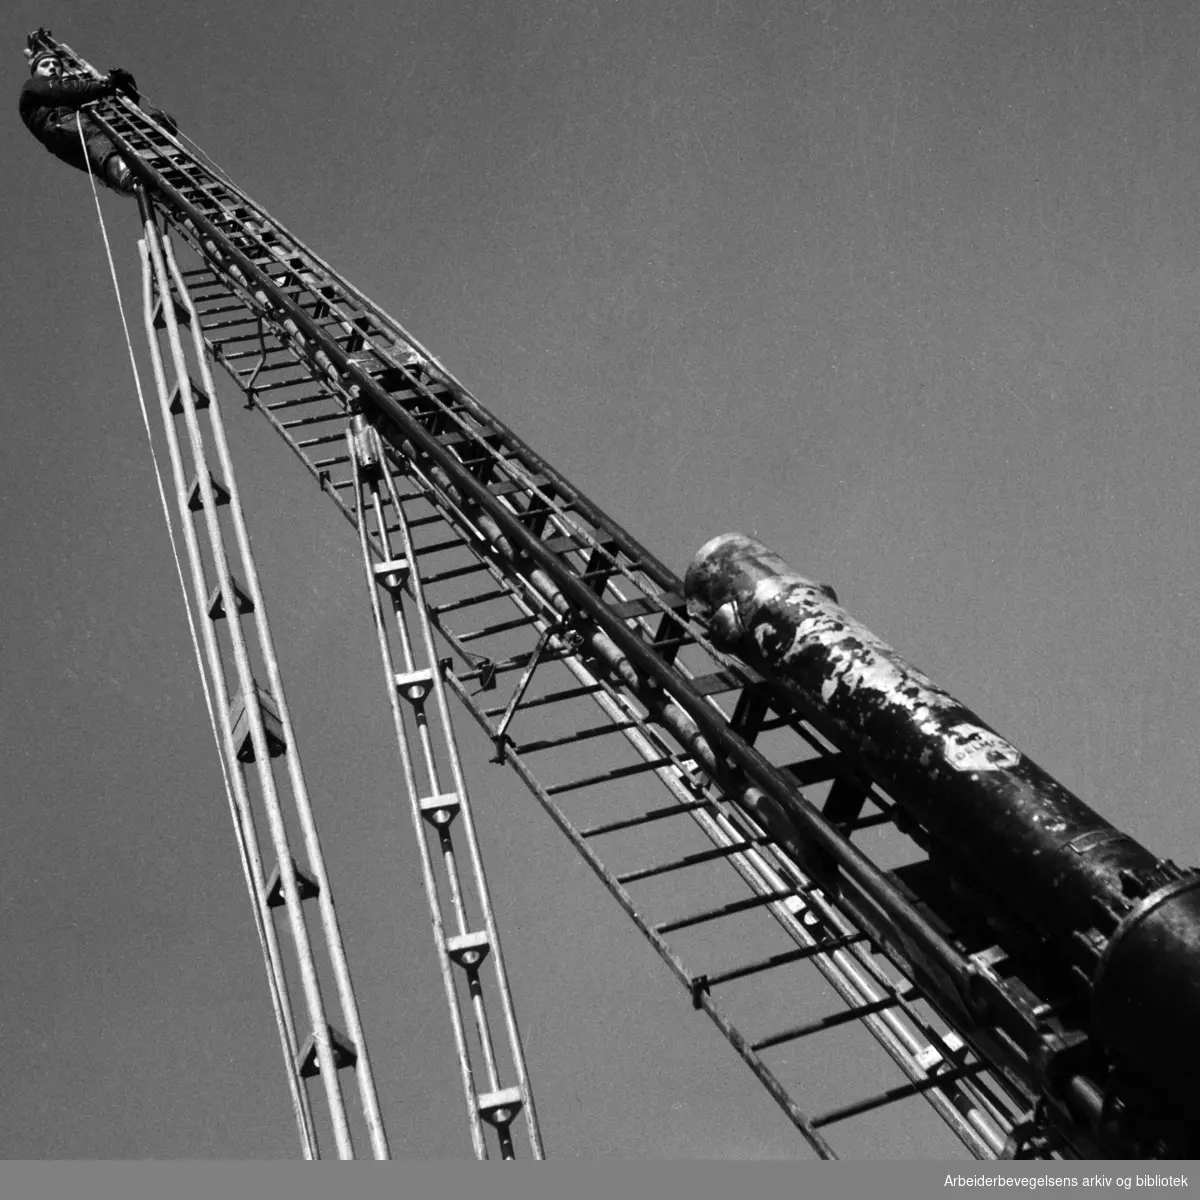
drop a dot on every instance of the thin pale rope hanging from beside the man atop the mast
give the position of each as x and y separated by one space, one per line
308 1137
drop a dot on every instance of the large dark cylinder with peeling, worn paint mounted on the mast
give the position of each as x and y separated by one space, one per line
1125 925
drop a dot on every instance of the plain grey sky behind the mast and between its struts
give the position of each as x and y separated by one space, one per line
905 291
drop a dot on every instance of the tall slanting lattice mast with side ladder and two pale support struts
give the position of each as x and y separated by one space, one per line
592 669
